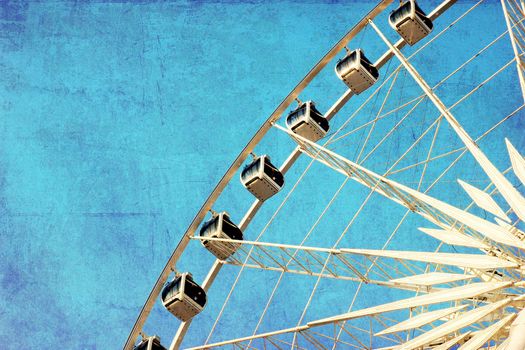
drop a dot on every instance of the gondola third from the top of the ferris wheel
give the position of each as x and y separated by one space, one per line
307 122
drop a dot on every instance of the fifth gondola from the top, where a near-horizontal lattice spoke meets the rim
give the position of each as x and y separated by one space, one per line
220 226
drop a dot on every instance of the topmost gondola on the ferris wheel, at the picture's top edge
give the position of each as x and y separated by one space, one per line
410 22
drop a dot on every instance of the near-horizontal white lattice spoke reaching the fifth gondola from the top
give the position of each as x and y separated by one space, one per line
345 265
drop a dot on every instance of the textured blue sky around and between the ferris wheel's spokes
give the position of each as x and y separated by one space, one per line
118 119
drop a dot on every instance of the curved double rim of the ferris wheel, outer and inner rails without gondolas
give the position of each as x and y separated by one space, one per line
146 309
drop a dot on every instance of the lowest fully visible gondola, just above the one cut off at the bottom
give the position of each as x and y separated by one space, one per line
183 297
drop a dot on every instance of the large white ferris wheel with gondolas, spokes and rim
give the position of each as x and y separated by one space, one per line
389 222
